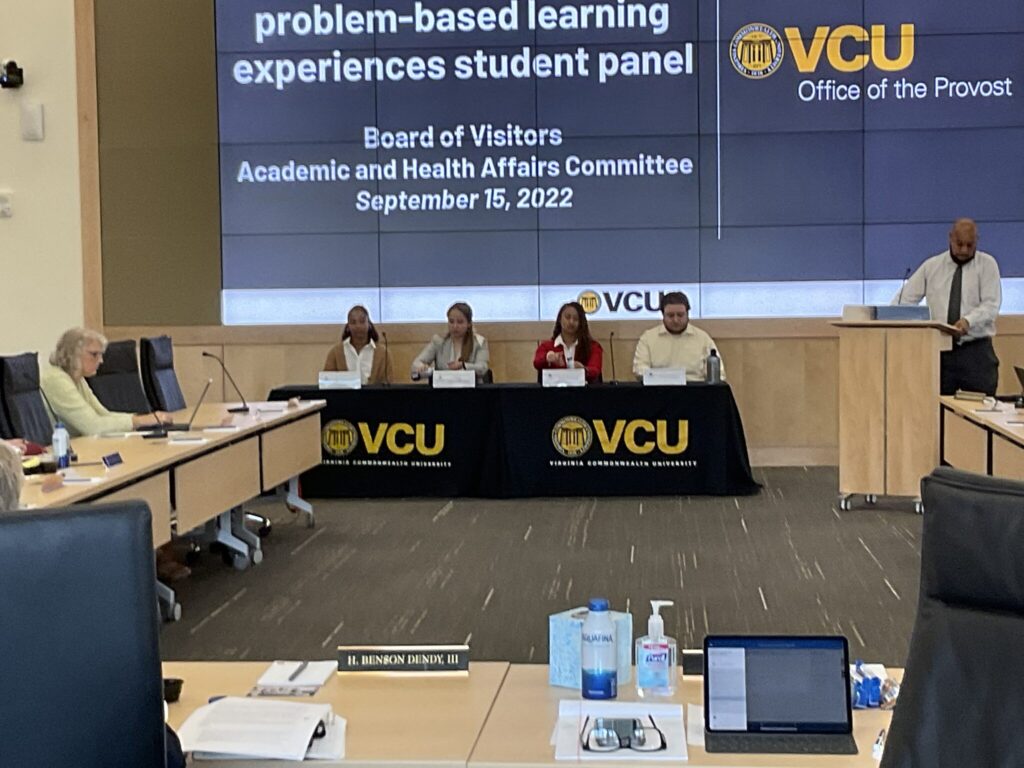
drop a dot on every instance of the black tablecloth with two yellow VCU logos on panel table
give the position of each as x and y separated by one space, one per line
524 441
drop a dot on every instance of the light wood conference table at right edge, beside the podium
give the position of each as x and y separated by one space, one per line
982 438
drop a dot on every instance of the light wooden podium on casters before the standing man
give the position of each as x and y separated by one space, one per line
888 418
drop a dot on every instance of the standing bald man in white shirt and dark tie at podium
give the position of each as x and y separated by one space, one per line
962 288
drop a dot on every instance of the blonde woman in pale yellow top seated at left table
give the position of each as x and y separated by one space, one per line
76 359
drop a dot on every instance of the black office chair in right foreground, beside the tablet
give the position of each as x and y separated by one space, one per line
961 702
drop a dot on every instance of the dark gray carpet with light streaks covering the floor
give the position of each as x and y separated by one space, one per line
491 572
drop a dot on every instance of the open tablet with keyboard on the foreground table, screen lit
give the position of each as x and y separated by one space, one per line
778 695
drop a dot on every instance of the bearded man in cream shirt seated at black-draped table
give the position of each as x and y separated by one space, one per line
676 344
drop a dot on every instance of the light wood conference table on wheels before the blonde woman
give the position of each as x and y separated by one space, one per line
197 479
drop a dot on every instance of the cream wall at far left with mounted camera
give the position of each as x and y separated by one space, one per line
41 245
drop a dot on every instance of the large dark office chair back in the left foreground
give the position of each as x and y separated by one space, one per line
82 682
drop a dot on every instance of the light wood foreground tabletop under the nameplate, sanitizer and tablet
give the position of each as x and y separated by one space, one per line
497 716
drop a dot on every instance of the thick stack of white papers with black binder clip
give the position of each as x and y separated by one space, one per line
235 729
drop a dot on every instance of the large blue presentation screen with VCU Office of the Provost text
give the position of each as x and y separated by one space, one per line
784 159
